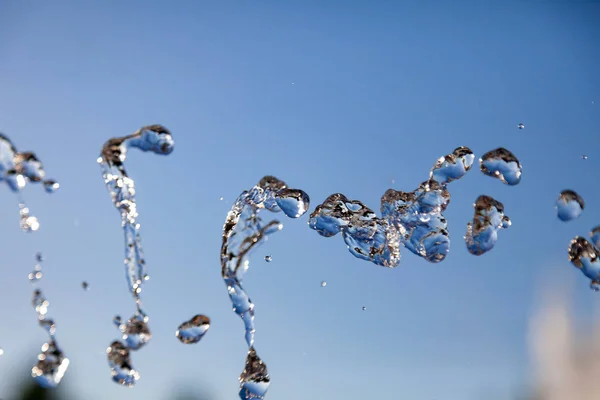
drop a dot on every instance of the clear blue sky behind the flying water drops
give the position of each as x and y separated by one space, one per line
330 97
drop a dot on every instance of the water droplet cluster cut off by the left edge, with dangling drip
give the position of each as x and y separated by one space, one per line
17 169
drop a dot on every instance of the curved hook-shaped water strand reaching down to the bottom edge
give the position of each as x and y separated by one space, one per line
243 231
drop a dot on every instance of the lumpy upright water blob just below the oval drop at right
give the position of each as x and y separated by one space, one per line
482 232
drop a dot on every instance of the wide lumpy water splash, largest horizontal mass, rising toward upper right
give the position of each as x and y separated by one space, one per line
412 218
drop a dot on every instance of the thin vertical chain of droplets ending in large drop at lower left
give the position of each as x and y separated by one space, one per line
52 364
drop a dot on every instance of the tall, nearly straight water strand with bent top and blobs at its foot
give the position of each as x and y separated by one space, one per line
135 332
